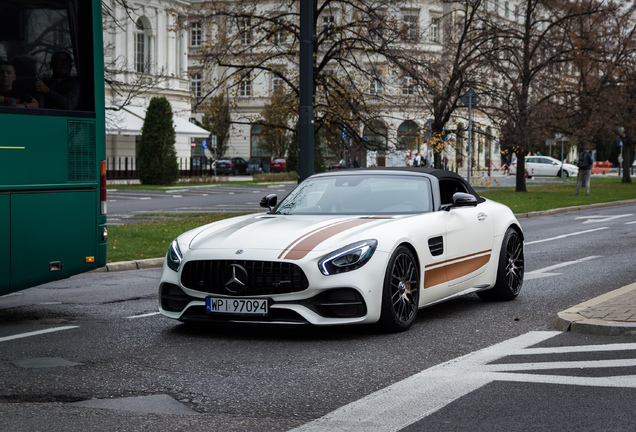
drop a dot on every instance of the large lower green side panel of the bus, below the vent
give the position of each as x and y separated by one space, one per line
54 236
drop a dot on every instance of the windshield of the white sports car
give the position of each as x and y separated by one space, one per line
359 195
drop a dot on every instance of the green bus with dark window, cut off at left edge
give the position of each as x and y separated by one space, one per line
52 148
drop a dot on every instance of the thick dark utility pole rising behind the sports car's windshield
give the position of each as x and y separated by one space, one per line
306 108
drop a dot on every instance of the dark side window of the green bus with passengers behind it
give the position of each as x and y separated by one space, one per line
42 46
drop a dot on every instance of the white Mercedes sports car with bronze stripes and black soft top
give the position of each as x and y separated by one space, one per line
347 247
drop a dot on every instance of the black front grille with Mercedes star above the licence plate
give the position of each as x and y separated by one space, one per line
263 277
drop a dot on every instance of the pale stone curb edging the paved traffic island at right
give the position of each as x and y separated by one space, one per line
572 320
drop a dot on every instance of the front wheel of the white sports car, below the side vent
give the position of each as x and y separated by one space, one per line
401 292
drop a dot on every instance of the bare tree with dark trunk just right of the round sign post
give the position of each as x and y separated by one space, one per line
528 52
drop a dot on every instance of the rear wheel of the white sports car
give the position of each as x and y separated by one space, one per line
509 271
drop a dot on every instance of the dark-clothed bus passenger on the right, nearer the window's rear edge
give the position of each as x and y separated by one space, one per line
61 91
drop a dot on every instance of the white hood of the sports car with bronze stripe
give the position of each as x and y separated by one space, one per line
294 236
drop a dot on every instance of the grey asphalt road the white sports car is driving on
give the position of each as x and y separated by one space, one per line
105 360
